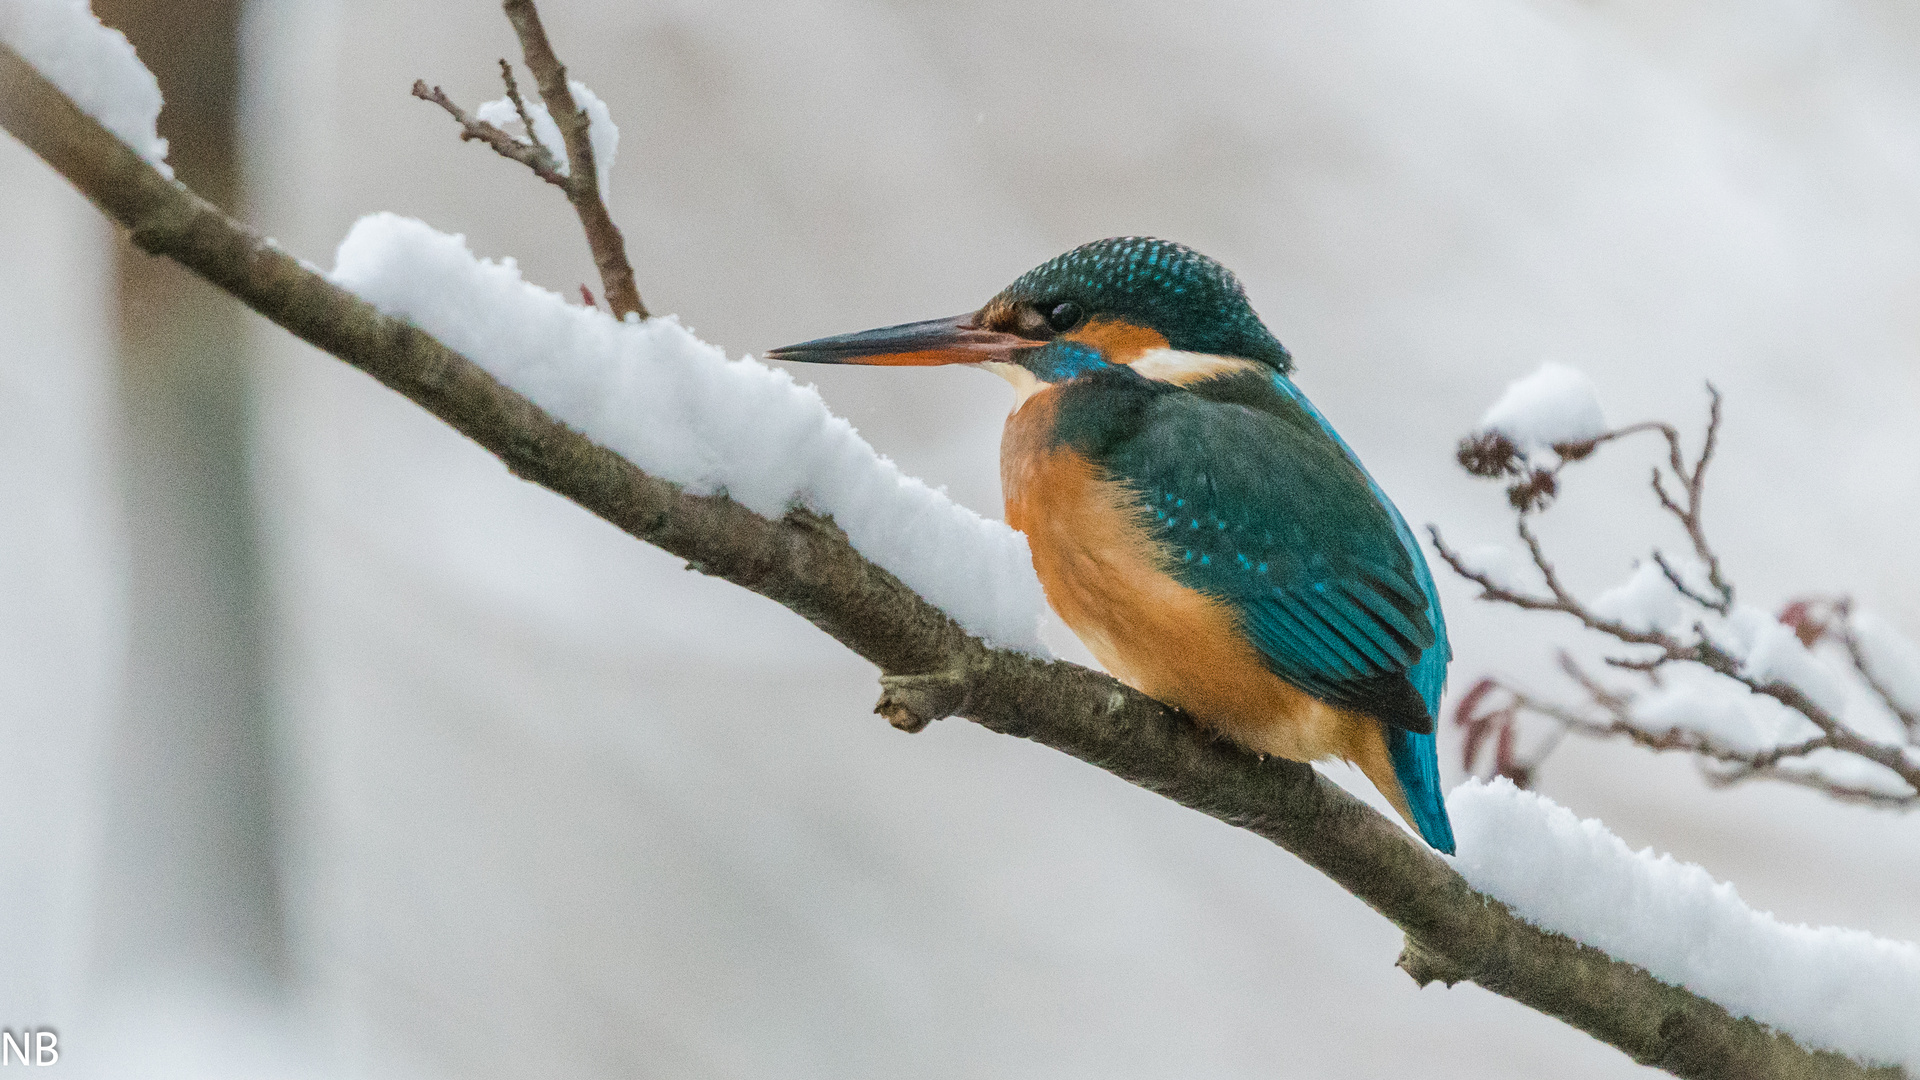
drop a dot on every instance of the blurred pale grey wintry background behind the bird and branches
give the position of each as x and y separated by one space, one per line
333 750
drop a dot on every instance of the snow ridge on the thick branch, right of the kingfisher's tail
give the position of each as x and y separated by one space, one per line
1829 989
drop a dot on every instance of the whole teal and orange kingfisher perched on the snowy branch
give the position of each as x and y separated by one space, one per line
1195 520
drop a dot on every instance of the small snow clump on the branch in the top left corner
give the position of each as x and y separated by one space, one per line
93 64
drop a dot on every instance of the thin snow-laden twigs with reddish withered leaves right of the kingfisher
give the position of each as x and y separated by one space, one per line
1819 695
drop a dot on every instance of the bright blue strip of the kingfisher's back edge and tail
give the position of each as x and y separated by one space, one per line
1416 756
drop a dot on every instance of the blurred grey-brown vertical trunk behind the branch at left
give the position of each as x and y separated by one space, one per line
189 885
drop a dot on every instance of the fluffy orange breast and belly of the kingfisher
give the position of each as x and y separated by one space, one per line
1109 581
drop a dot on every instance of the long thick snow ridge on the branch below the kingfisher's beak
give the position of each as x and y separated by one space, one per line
681 410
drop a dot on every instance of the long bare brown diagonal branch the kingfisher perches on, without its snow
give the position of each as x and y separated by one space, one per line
805 564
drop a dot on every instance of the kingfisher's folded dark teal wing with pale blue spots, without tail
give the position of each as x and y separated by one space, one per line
1270 516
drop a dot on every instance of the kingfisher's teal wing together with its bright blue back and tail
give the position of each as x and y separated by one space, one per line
1257 501
